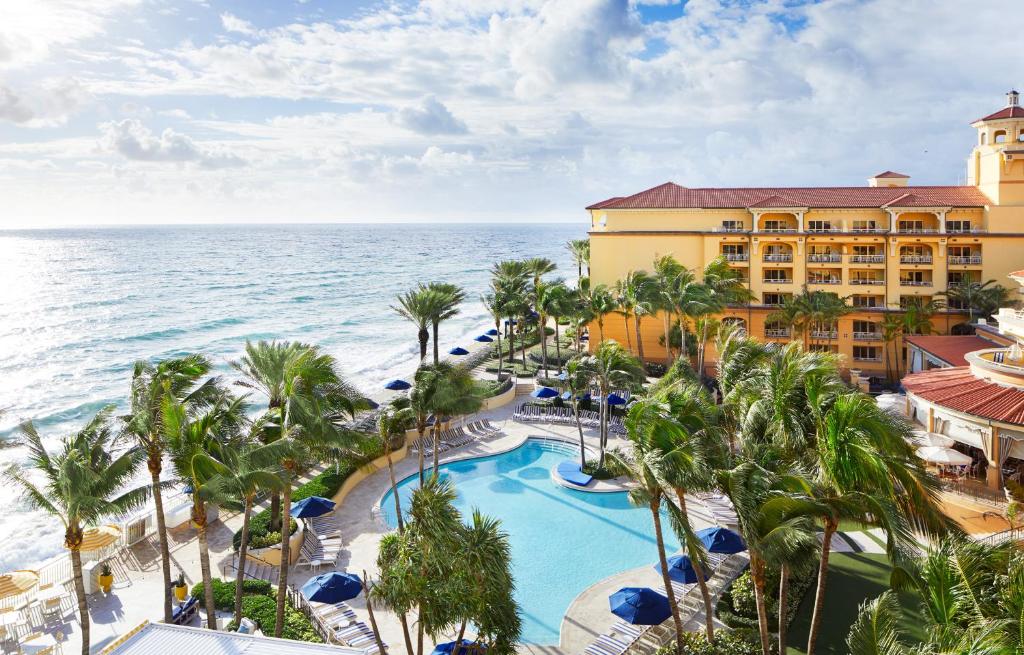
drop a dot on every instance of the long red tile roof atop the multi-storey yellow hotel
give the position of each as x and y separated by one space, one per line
671 196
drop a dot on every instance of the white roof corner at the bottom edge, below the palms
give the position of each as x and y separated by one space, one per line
163 639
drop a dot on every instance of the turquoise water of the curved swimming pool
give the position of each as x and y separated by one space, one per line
564 541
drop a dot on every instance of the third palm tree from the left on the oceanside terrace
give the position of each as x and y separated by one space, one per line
189 442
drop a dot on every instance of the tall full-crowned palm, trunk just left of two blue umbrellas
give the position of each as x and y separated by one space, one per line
308 396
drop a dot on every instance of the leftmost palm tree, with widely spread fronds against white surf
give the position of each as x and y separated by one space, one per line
80 486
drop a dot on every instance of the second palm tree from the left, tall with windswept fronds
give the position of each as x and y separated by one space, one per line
151 385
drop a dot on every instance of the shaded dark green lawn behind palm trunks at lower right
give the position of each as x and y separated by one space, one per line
854 578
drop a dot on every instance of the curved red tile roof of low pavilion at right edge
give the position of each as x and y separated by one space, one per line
961 391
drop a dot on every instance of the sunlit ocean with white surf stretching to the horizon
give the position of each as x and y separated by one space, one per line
79 307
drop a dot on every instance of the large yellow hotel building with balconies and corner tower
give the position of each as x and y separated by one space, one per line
877 245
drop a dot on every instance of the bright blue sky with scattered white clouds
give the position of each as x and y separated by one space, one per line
308 111
